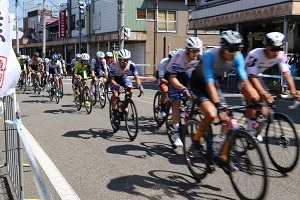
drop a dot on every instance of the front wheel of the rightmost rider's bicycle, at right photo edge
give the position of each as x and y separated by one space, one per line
282 143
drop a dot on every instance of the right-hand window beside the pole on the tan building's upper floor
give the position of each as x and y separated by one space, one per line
167 21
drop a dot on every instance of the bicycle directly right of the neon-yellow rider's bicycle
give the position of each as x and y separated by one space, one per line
98 91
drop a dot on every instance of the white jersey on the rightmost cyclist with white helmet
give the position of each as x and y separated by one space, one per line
257 62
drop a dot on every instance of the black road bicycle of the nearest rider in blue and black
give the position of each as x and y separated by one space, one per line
243 162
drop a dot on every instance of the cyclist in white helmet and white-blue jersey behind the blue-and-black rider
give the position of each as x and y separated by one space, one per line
180 67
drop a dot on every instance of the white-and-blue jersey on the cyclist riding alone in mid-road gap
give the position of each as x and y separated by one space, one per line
116 71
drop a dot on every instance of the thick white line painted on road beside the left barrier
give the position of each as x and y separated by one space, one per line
63 188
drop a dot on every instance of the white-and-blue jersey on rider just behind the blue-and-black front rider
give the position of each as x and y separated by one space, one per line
180 64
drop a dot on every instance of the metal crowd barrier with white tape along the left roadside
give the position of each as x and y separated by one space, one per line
14 138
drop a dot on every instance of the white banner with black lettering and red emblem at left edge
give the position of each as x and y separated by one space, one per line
10 69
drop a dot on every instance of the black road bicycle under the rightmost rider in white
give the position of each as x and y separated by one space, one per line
281 137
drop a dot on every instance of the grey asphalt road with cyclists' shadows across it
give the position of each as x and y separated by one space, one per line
101 165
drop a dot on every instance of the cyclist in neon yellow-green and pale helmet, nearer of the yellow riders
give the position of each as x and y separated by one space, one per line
80 70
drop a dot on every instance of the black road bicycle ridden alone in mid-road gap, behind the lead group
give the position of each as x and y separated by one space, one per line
126 111
